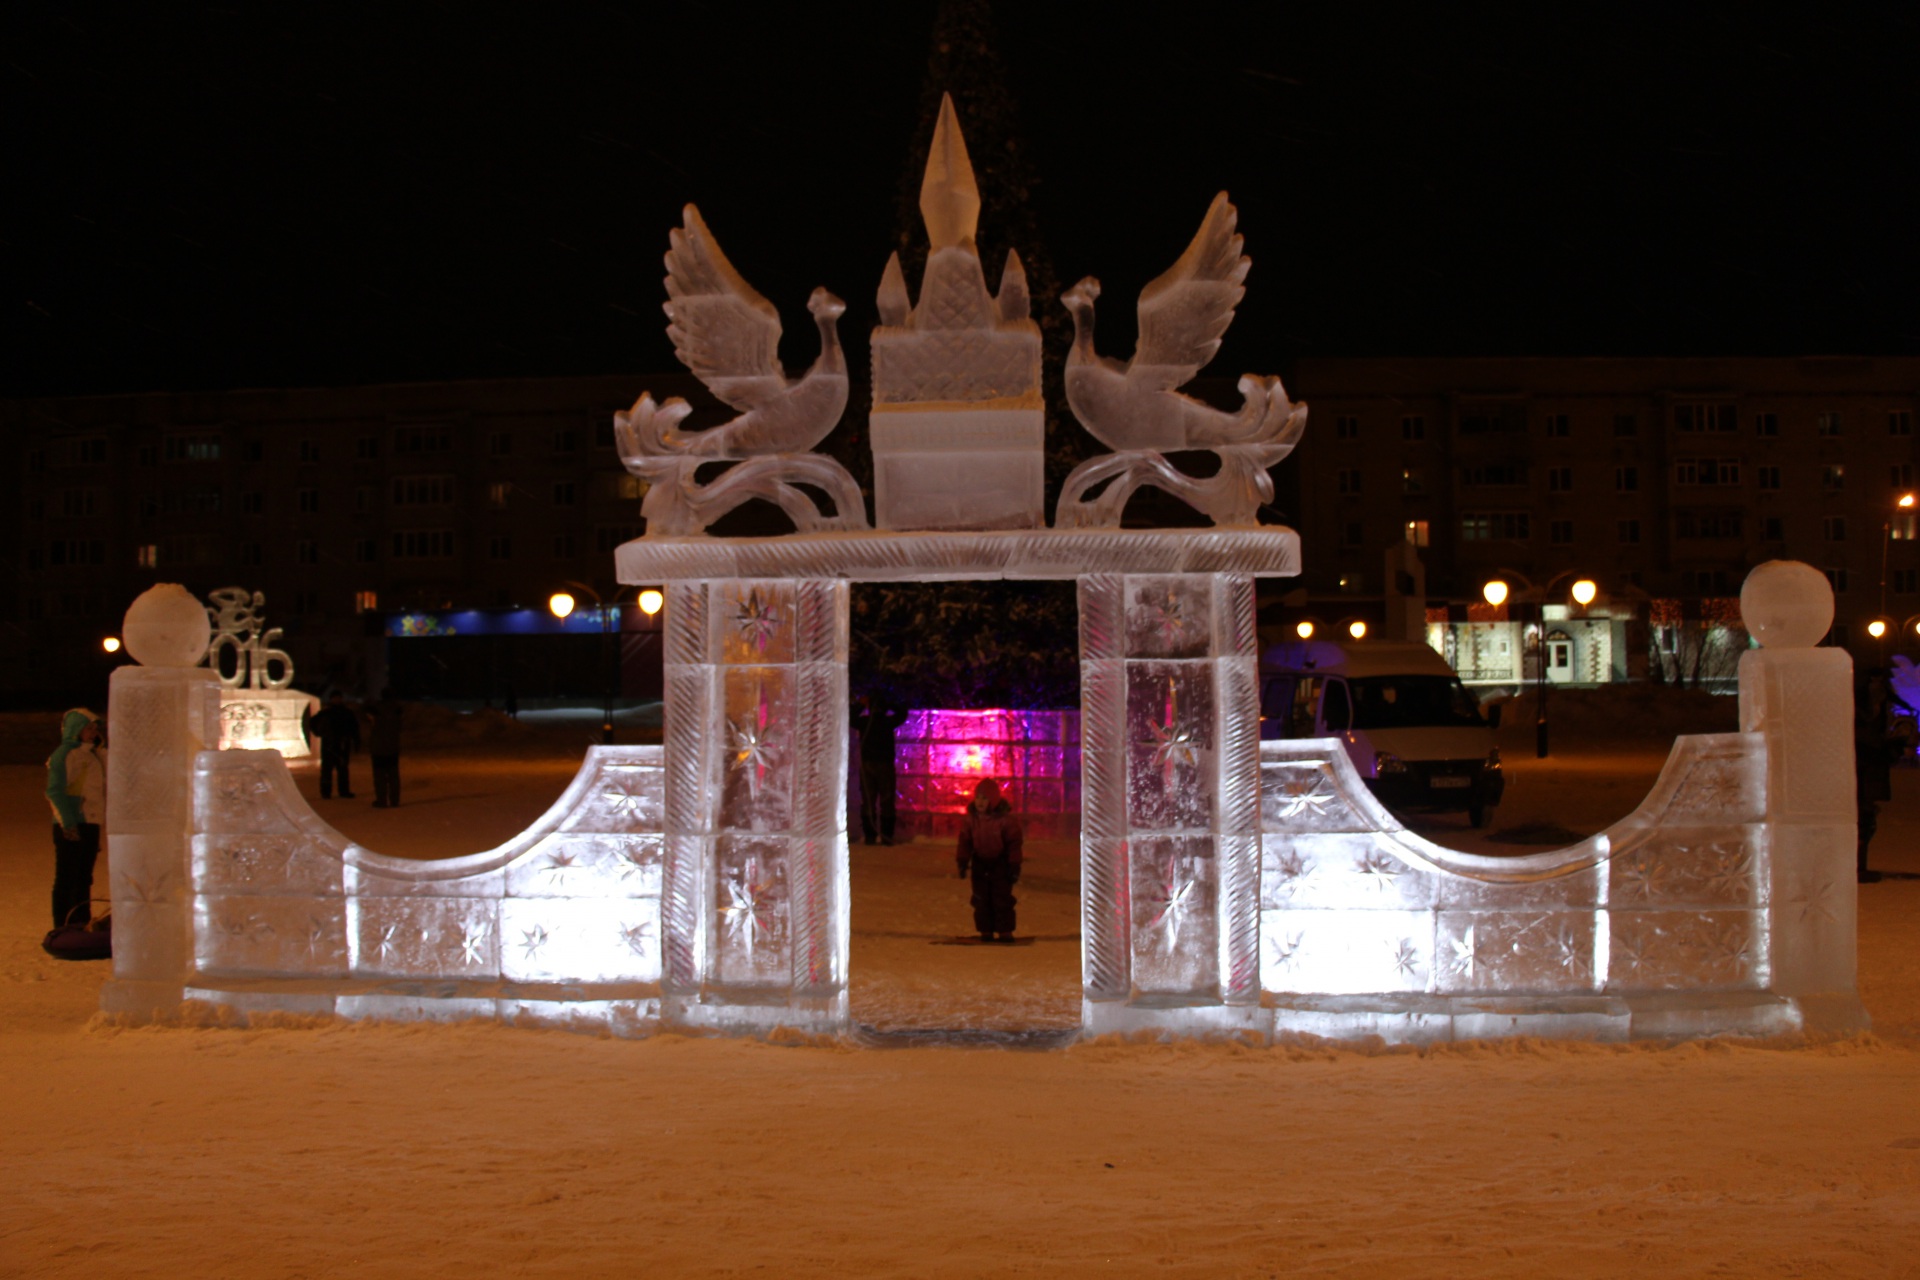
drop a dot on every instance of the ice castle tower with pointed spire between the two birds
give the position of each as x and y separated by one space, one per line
959 427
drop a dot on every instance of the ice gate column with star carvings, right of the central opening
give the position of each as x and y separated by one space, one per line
1170 840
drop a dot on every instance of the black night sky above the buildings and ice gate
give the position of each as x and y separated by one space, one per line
295 195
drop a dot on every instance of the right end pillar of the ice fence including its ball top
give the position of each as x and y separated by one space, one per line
1802 699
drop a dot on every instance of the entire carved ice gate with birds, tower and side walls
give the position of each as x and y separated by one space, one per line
1230 886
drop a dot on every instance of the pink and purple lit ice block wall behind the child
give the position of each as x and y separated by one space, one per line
1034 755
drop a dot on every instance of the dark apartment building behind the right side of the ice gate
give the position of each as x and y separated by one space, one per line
1658 479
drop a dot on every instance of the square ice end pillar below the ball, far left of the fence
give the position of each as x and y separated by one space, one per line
158 719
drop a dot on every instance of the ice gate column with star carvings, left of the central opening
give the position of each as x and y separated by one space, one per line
756 878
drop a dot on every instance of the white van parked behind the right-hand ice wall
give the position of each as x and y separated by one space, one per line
1408 724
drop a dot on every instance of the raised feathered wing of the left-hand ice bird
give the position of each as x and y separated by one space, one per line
721 327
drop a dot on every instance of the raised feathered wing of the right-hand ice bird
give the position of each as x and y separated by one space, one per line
1188 310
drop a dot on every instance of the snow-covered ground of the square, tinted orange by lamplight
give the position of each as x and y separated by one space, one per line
316 1150
